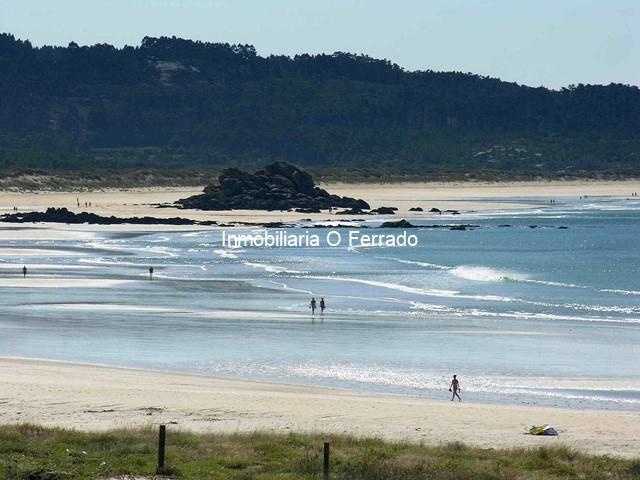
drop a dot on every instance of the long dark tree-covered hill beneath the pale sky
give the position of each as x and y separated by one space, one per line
178 103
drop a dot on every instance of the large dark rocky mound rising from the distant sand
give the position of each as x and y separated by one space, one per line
279 186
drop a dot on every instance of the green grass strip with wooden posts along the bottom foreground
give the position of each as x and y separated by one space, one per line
37 453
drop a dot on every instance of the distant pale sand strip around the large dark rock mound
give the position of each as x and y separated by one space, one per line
463 196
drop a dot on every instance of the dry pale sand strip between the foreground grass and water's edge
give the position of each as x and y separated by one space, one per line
96 398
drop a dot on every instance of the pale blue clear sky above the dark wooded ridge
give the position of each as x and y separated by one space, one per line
553 43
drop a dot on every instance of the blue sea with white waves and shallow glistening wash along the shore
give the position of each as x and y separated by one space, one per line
543 316
